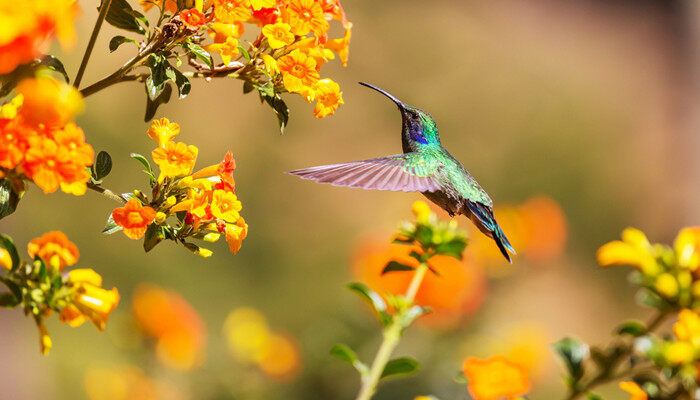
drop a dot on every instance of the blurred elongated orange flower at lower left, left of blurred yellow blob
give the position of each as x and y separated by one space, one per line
178 329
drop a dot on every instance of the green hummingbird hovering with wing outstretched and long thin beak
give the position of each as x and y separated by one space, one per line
425 166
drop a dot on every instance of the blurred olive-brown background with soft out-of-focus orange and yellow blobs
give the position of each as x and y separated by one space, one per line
578 117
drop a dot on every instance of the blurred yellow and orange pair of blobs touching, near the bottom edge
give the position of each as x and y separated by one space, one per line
251 340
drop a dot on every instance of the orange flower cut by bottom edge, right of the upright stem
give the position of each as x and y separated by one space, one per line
495 378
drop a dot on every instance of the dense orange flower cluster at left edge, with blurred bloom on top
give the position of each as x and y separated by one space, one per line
38 141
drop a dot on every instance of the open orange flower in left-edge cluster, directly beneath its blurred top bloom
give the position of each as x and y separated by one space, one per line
48 165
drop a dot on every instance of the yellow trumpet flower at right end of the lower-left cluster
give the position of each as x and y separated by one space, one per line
89 300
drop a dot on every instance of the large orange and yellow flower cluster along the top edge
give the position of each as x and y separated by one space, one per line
286 55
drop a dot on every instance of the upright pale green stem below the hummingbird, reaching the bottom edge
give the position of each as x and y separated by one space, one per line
392 336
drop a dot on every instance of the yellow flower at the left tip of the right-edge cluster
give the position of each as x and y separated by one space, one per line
634 250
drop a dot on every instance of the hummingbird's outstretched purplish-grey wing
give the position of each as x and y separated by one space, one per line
409 172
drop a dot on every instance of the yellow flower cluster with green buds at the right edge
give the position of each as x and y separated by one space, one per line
669 274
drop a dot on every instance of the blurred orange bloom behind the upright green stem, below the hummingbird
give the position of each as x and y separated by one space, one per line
457 292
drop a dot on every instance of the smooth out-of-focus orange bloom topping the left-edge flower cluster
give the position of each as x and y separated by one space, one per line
49 101
